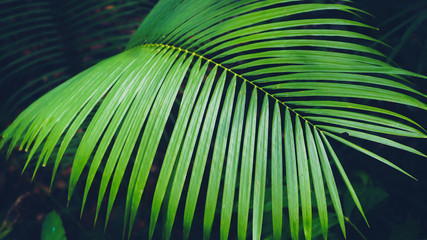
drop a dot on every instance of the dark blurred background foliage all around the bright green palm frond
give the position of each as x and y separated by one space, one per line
45 42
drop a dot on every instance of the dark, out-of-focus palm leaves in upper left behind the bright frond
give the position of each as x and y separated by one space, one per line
46 42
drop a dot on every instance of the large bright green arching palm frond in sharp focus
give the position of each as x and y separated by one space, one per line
252 93
